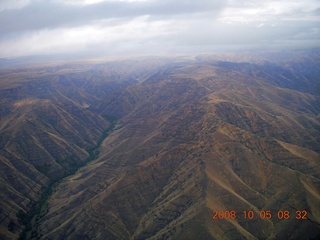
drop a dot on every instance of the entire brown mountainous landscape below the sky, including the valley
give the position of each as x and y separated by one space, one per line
211 146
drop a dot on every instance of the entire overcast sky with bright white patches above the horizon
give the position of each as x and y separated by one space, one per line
143 27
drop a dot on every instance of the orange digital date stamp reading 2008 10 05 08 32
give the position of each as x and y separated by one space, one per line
262 214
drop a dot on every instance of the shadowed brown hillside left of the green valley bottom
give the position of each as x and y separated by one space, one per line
50 126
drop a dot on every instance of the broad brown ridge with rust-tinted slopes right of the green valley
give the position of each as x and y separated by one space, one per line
197 137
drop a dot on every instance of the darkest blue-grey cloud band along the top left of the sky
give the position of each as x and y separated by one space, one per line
43 14
